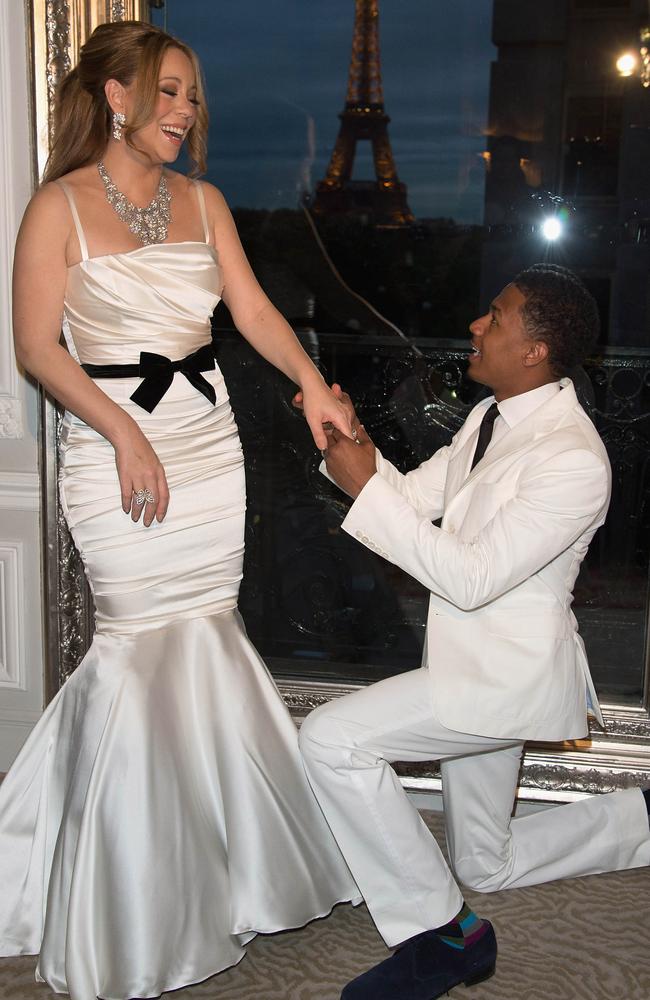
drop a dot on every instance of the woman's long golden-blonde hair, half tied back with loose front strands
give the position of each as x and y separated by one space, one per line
125 51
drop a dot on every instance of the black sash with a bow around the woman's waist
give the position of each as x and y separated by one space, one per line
157 373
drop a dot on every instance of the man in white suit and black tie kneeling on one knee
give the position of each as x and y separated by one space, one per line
521 489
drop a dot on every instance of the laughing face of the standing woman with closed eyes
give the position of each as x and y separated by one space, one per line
175 110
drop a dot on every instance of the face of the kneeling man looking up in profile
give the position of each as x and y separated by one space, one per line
504 357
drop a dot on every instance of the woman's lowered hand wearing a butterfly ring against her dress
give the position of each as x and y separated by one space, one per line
143 483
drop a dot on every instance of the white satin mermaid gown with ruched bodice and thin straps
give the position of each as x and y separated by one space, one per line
158 815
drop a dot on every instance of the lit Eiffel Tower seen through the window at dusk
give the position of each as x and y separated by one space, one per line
364 118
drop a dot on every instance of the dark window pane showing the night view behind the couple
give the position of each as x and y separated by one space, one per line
382 237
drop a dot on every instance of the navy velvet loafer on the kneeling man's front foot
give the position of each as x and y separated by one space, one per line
424 968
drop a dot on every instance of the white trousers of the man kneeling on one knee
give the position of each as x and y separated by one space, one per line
396 863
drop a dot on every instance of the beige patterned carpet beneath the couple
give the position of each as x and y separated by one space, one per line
580 939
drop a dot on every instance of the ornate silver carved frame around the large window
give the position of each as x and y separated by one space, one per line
615 758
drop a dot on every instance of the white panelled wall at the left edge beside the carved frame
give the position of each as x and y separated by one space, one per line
21 632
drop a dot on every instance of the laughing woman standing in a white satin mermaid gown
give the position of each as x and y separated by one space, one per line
158 817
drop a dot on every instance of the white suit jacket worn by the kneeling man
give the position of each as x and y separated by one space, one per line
502 647
